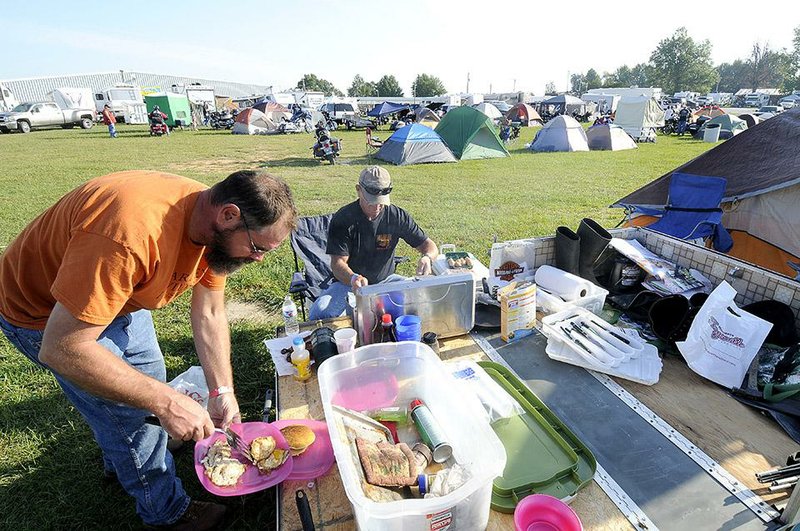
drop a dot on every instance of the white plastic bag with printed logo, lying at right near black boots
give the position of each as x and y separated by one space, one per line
723 340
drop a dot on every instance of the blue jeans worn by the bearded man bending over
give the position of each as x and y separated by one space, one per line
135 451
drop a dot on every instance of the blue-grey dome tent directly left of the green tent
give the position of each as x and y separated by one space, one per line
415 144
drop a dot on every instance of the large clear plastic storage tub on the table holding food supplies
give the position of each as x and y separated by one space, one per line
387 374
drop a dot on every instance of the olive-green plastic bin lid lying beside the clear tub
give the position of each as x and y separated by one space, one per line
543 455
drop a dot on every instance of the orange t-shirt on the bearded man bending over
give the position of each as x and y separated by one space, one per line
116 244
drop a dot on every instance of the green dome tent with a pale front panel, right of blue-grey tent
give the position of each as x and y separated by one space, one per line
470 134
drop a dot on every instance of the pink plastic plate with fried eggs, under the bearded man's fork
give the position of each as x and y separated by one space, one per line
252 480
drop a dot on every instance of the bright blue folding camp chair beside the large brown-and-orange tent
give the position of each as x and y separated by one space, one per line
693 210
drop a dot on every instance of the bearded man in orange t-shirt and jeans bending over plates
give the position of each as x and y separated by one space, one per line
76 290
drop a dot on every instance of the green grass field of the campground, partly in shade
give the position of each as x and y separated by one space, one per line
50 467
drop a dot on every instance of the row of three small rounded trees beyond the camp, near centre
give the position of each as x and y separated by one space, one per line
423 86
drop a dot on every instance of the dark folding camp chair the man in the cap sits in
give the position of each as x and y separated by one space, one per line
309 244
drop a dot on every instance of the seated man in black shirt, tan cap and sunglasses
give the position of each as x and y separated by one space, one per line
361 242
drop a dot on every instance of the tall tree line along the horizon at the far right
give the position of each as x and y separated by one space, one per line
682 63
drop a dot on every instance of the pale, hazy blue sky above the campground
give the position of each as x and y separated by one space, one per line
502 45
